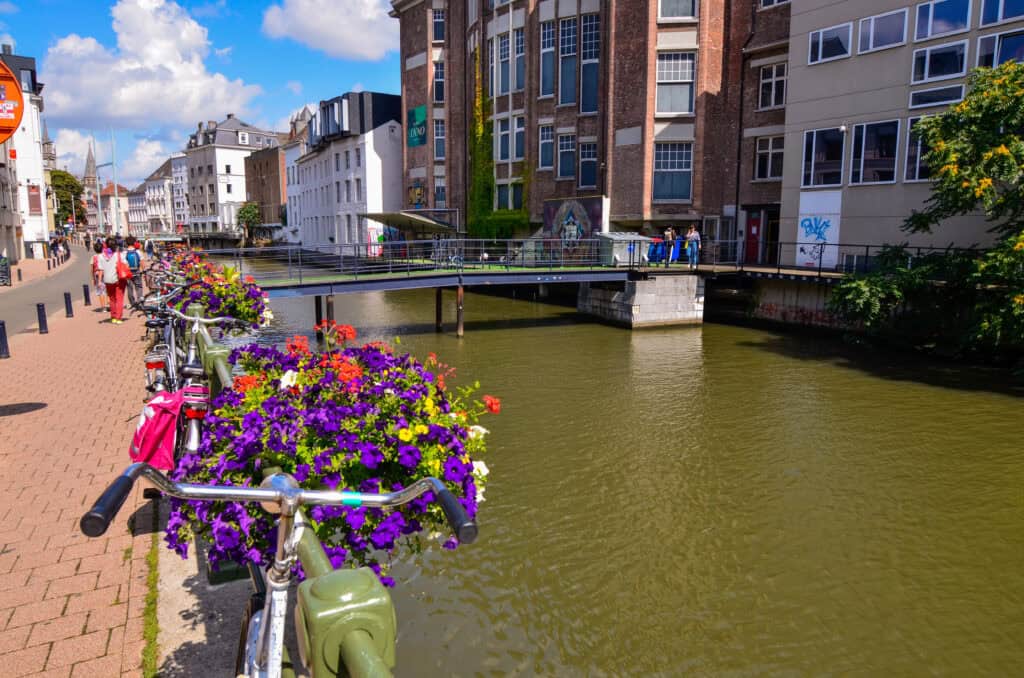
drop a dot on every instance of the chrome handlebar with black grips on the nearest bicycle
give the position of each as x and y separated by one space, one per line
277 490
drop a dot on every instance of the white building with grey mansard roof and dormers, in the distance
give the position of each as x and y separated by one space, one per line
217 156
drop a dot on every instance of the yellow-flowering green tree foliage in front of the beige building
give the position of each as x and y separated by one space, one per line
977 153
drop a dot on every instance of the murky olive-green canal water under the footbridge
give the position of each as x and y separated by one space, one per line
713 500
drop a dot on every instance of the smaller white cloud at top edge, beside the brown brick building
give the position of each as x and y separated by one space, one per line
353 29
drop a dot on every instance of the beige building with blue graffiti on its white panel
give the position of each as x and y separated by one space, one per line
861 75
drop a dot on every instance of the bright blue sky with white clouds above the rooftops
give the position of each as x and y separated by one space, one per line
152 69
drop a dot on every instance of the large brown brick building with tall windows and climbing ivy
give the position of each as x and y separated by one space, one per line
603 113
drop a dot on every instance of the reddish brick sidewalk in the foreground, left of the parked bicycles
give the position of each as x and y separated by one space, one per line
70 606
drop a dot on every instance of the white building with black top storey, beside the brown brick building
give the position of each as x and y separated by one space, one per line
354 167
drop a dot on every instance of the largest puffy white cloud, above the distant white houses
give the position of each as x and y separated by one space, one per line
155 77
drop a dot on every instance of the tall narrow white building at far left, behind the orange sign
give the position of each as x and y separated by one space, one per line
28 147
